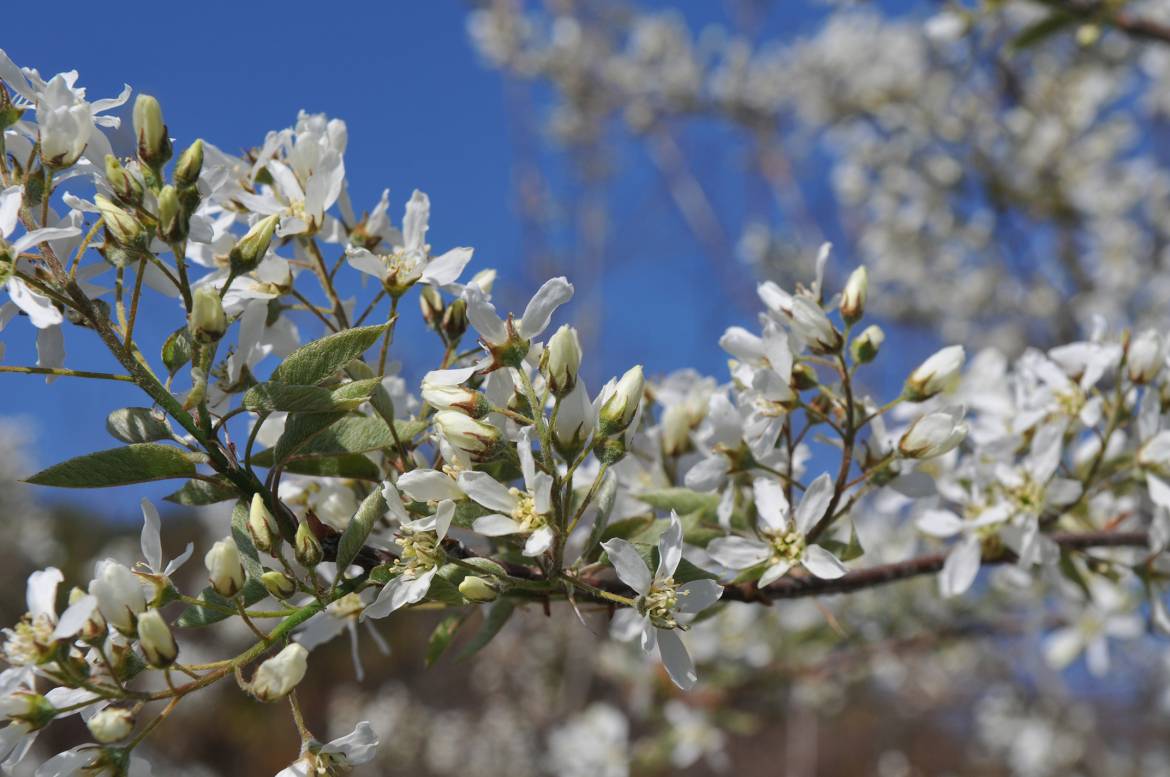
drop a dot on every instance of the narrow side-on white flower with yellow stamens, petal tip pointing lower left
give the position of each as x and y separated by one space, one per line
421 560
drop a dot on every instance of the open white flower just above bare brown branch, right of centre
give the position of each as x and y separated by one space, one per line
782 544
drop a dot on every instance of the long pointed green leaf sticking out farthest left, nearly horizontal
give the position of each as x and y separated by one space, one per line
135 464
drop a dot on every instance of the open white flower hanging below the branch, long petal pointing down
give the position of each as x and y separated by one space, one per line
663 604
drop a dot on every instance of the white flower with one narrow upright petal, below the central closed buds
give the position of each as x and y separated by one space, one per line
525 513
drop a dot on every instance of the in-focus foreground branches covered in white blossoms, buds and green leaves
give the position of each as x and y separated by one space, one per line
652 504
